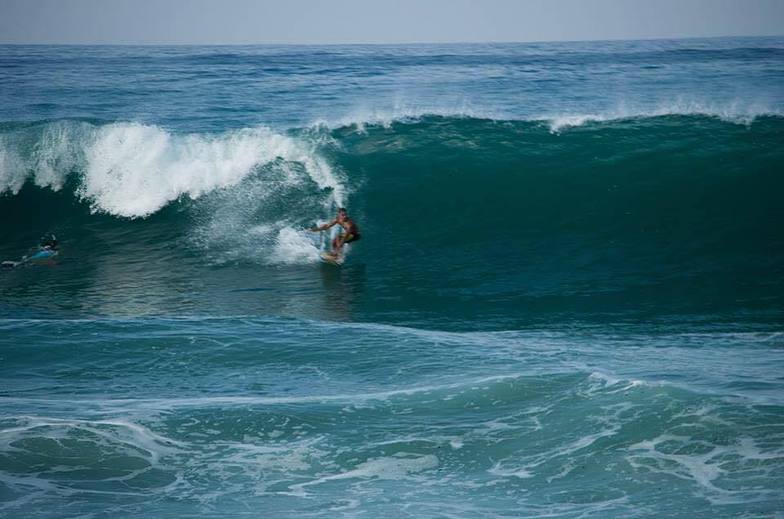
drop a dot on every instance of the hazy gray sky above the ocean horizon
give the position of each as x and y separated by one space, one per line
378 21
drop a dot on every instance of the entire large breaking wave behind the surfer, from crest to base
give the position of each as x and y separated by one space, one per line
508 221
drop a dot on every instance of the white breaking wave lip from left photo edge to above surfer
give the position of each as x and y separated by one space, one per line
133 170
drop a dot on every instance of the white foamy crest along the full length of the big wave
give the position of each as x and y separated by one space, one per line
161 166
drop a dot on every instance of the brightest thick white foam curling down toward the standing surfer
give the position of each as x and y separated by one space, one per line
134 170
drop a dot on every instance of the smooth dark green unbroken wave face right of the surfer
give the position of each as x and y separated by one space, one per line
671 214
